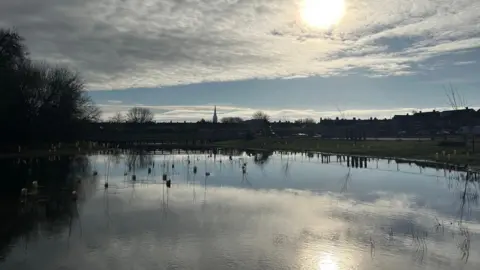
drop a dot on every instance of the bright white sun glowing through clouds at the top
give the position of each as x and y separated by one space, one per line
322 13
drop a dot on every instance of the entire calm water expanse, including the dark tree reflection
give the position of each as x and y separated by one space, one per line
237 211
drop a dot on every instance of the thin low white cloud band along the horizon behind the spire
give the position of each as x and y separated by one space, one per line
195 113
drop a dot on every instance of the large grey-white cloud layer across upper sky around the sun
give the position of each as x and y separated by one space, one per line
120 44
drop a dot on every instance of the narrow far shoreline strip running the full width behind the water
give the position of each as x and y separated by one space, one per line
426 152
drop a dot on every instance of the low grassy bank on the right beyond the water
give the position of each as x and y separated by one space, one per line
422 150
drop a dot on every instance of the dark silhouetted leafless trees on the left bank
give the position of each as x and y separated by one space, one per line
39 102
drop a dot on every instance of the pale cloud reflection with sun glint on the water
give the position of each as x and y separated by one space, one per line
293 230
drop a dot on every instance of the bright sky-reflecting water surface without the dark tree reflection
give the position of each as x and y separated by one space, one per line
311 221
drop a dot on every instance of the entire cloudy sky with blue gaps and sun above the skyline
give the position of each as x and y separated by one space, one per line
291 58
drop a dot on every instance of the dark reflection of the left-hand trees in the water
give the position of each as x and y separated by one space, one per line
52 208
